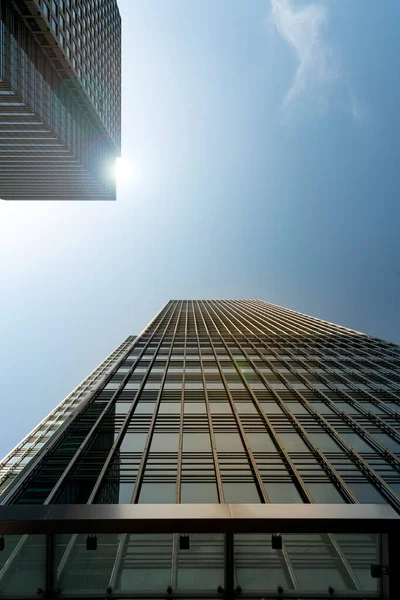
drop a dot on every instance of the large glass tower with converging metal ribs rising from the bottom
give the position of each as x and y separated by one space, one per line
235 449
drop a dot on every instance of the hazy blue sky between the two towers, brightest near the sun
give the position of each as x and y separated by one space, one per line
264 140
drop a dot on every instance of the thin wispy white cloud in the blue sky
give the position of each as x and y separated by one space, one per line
318 73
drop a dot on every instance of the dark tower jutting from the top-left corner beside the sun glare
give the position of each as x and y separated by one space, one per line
60 99
